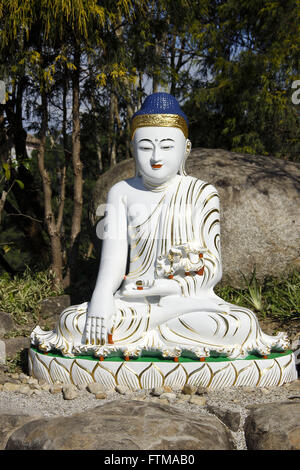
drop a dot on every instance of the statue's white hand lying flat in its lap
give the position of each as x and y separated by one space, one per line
147 288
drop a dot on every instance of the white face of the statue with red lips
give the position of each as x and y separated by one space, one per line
159 151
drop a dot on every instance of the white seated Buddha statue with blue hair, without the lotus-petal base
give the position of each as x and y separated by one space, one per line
168 224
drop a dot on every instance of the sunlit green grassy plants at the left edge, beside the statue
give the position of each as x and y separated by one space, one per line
21 295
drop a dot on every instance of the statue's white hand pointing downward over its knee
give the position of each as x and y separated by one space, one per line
98 323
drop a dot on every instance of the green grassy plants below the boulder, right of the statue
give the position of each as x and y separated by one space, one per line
277 298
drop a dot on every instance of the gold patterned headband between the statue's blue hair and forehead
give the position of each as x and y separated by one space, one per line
159 120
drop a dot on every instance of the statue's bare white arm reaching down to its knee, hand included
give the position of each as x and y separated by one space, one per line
112 266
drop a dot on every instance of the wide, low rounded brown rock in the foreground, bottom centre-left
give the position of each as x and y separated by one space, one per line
124 425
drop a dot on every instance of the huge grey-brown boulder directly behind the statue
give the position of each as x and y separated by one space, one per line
260 209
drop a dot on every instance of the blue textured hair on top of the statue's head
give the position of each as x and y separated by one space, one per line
161 103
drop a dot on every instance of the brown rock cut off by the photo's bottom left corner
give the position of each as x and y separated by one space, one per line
10 421
